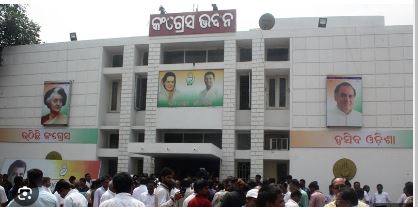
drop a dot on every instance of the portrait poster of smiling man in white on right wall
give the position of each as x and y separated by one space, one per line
344 101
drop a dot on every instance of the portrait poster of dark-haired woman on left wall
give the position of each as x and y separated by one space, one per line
56 103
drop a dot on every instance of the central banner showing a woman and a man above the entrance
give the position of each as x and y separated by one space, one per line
191 88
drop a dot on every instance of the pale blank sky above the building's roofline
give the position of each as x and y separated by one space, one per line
128 18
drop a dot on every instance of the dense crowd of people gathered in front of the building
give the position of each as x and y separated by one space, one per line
199 191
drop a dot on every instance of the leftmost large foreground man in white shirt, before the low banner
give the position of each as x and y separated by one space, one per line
45 198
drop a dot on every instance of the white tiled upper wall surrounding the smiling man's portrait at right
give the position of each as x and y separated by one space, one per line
382 56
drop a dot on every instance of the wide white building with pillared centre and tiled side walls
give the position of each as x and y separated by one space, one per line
274 90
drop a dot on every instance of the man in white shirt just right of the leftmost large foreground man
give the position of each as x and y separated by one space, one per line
72 198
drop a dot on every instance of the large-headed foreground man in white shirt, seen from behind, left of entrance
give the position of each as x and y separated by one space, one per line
123 185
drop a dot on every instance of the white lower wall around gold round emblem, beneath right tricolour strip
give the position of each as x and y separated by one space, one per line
390 167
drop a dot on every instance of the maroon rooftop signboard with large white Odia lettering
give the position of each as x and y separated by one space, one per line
193 23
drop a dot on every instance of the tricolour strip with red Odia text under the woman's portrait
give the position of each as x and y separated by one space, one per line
49 135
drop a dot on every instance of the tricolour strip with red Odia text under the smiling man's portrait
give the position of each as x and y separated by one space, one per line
352 139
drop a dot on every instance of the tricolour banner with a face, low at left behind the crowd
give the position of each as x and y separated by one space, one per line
55 169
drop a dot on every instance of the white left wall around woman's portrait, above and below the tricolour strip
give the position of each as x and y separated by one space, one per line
22 76
